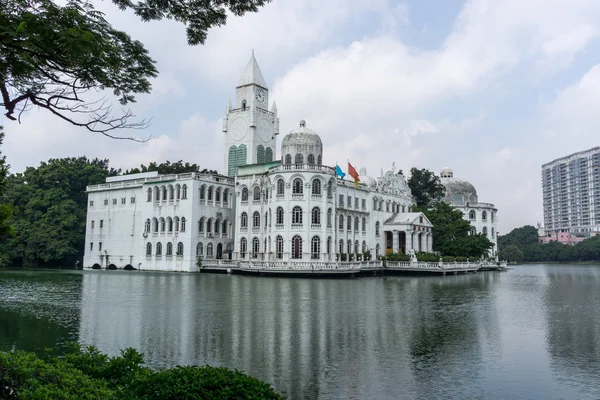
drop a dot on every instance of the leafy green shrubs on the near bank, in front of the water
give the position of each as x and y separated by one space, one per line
89 374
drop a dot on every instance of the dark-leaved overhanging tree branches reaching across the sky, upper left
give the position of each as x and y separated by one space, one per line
52 56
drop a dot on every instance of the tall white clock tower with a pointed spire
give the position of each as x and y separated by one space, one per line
250 128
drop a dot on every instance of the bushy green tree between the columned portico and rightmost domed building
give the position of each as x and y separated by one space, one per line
452 234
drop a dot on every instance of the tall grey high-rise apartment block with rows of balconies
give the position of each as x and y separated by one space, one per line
571 193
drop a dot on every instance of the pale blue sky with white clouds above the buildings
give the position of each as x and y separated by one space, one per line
490 88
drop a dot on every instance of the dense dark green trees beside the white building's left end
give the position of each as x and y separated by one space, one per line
50 206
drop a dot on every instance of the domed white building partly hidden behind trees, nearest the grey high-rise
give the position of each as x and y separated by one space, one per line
462 195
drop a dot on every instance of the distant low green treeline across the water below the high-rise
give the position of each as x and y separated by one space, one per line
523 244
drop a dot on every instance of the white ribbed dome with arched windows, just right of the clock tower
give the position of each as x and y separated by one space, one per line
302 146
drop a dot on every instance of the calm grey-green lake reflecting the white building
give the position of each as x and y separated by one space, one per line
529 333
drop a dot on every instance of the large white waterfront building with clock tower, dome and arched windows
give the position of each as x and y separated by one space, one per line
292 209
